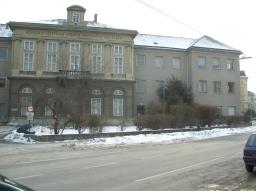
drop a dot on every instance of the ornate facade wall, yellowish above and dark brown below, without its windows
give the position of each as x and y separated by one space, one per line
66 81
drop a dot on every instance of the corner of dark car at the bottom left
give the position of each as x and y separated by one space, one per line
10 185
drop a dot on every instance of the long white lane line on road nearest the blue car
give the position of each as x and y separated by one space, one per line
179 169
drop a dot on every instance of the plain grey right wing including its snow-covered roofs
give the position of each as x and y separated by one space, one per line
209 67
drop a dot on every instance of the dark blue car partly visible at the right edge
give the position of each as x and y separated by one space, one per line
250 153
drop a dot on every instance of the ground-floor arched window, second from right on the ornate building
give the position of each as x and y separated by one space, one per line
96 102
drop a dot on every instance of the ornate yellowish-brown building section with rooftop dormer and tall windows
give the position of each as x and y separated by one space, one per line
88 67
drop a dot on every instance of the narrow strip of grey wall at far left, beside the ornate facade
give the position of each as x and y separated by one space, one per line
4 72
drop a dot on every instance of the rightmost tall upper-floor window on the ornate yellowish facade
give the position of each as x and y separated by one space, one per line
118 62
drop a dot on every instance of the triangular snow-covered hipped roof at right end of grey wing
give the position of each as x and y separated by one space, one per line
208 42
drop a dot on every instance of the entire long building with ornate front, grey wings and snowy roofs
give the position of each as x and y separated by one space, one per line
93 68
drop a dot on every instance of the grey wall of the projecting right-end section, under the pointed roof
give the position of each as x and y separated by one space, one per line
224 75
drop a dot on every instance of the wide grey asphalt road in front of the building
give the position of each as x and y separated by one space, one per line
213 164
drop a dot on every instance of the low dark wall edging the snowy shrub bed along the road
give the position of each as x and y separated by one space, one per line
51 138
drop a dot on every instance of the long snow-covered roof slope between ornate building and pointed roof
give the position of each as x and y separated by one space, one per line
149 40
